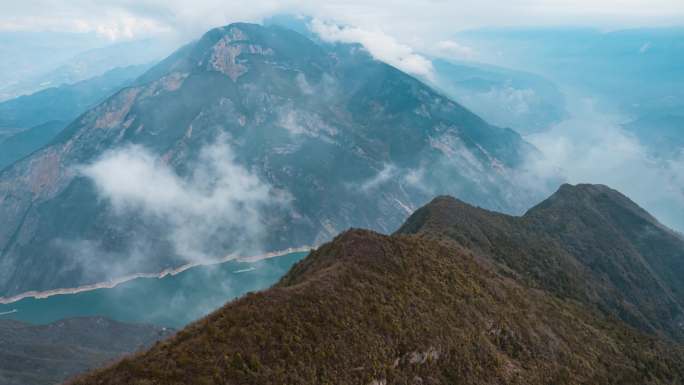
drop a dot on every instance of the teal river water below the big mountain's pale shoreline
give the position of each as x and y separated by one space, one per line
171 300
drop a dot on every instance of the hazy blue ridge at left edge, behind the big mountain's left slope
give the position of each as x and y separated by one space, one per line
35 120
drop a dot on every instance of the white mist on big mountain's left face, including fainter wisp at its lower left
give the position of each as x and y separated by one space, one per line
217 206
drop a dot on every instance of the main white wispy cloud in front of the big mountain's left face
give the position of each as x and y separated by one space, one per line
218 196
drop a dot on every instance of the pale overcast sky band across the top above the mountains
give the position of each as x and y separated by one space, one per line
403 19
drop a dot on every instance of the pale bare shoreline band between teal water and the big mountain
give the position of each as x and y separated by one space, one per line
166 272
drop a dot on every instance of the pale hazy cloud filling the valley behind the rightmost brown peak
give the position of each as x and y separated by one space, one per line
591 147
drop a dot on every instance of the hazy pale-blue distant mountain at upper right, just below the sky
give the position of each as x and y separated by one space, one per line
637 69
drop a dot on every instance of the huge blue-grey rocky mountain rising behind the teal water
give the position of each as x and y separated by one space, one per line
265 140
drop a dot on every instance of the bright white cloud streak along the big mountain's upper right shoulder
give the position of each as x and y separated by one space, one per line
382 46
